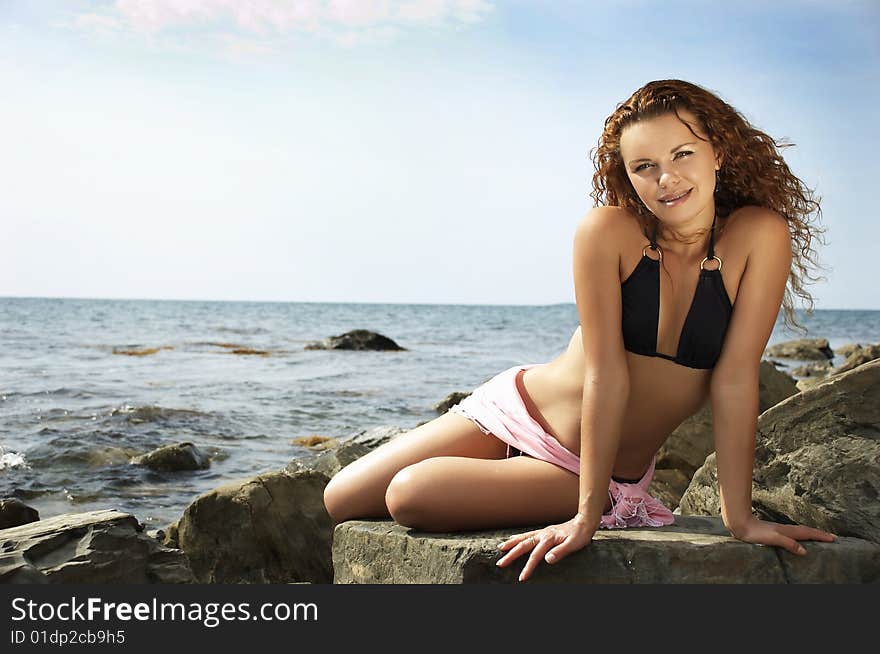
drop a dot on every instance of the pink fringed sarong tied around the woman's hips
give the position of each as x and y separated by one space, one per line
498 409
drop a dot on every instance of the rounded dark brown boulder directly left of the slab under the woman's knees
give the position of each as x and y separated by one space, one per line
272 528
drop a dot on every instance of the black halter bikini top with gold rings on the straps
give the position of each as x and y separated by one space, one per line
702 335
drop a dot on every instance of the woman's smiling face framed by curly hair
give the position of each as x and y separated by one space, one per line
671 170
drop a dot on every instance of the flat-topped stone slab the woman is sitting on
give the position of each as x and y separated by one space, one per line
693 550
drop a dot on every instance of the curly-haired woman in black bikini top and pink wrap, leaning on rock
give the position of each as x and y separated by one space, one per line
683 186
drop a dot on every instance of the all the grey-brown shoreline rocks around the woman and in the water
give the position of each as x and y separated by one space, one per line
817 462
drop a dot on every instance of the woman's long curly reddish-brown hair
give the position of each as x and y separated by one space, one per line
753 172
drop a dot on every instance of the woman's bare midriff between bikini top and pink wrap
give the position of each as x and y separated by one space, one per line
662 395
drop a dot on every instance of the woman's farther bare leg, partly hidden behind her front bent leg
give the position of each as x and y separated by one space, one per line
358 490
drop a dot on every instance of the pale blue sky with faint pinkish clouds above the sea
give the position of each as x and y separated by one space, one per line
428 151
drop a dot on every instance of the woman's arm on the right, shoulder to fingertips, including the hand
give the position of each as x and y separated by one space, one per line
734 384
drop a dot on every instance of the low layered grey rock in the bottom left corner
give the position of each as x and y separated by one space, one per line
98 547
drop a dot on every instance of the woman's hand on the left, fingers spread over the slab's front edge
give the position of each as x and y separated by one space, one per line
564 539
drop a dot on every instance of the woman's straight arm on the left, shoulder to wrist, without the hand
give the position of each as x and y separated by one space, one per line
606 376
